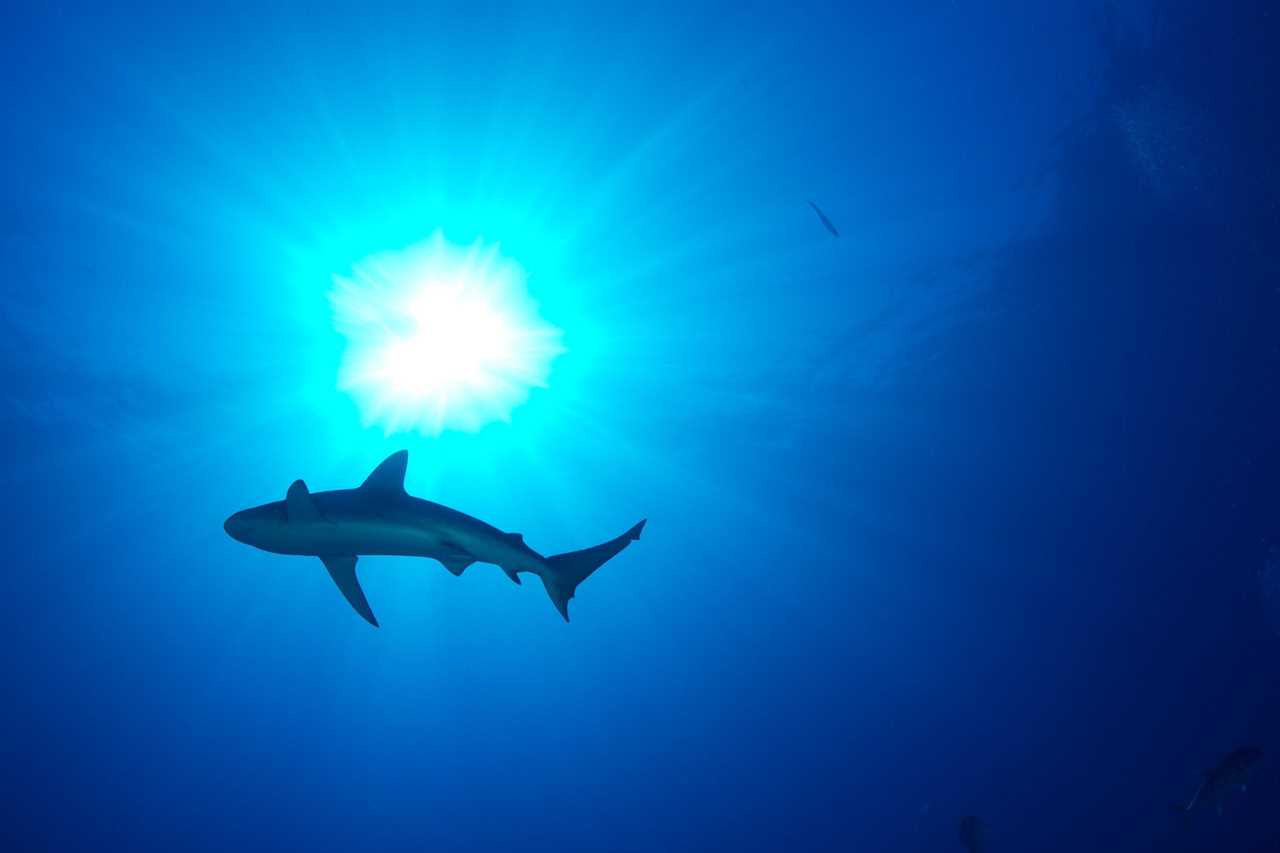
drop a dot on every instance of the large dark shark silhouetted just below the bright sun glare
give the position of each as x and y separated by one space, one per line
381 518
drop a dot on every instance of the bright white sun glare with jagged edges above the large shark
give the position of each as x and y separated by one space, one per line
441 337
